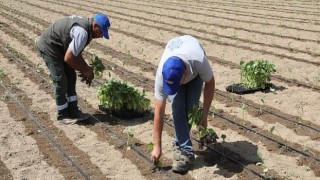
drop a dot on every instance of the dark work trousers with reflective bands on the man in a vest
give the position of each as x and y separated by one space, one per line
64 81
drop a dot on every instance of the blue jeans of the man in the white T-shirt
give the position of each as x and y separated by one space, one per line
182 102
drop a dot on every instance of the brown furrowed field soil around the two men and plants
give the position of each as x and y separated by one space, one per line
269 135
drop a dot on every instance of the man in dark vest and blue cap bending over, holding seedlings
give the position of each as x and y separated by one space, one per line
61 46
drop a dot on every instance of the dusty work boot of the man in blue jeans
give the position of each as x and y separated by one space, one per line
182 160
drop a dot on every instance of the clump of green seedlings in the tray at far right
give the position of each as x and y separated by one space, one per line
256 73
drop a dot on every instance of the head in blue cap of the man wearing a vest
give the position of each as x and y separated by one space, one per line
101 26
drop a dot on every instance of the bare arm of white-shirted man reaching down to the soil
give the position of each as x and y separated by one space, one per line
157 129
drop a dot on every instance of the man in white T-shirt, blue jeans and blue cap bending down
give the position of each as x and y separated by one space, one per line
182 71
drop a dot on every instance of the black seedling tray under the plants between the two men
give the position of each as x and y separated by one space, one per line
122 114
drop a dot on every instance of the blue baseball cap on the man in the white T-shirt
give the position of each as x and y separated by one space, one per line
172 73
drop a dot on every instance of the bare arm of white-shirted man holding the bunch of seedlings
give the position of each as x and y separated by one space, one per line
207 99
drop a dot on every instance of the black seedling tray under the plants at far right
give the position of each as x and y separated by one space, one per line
240 88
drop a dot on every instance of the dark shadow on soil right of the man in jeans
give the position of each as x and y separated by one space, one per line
226 167
